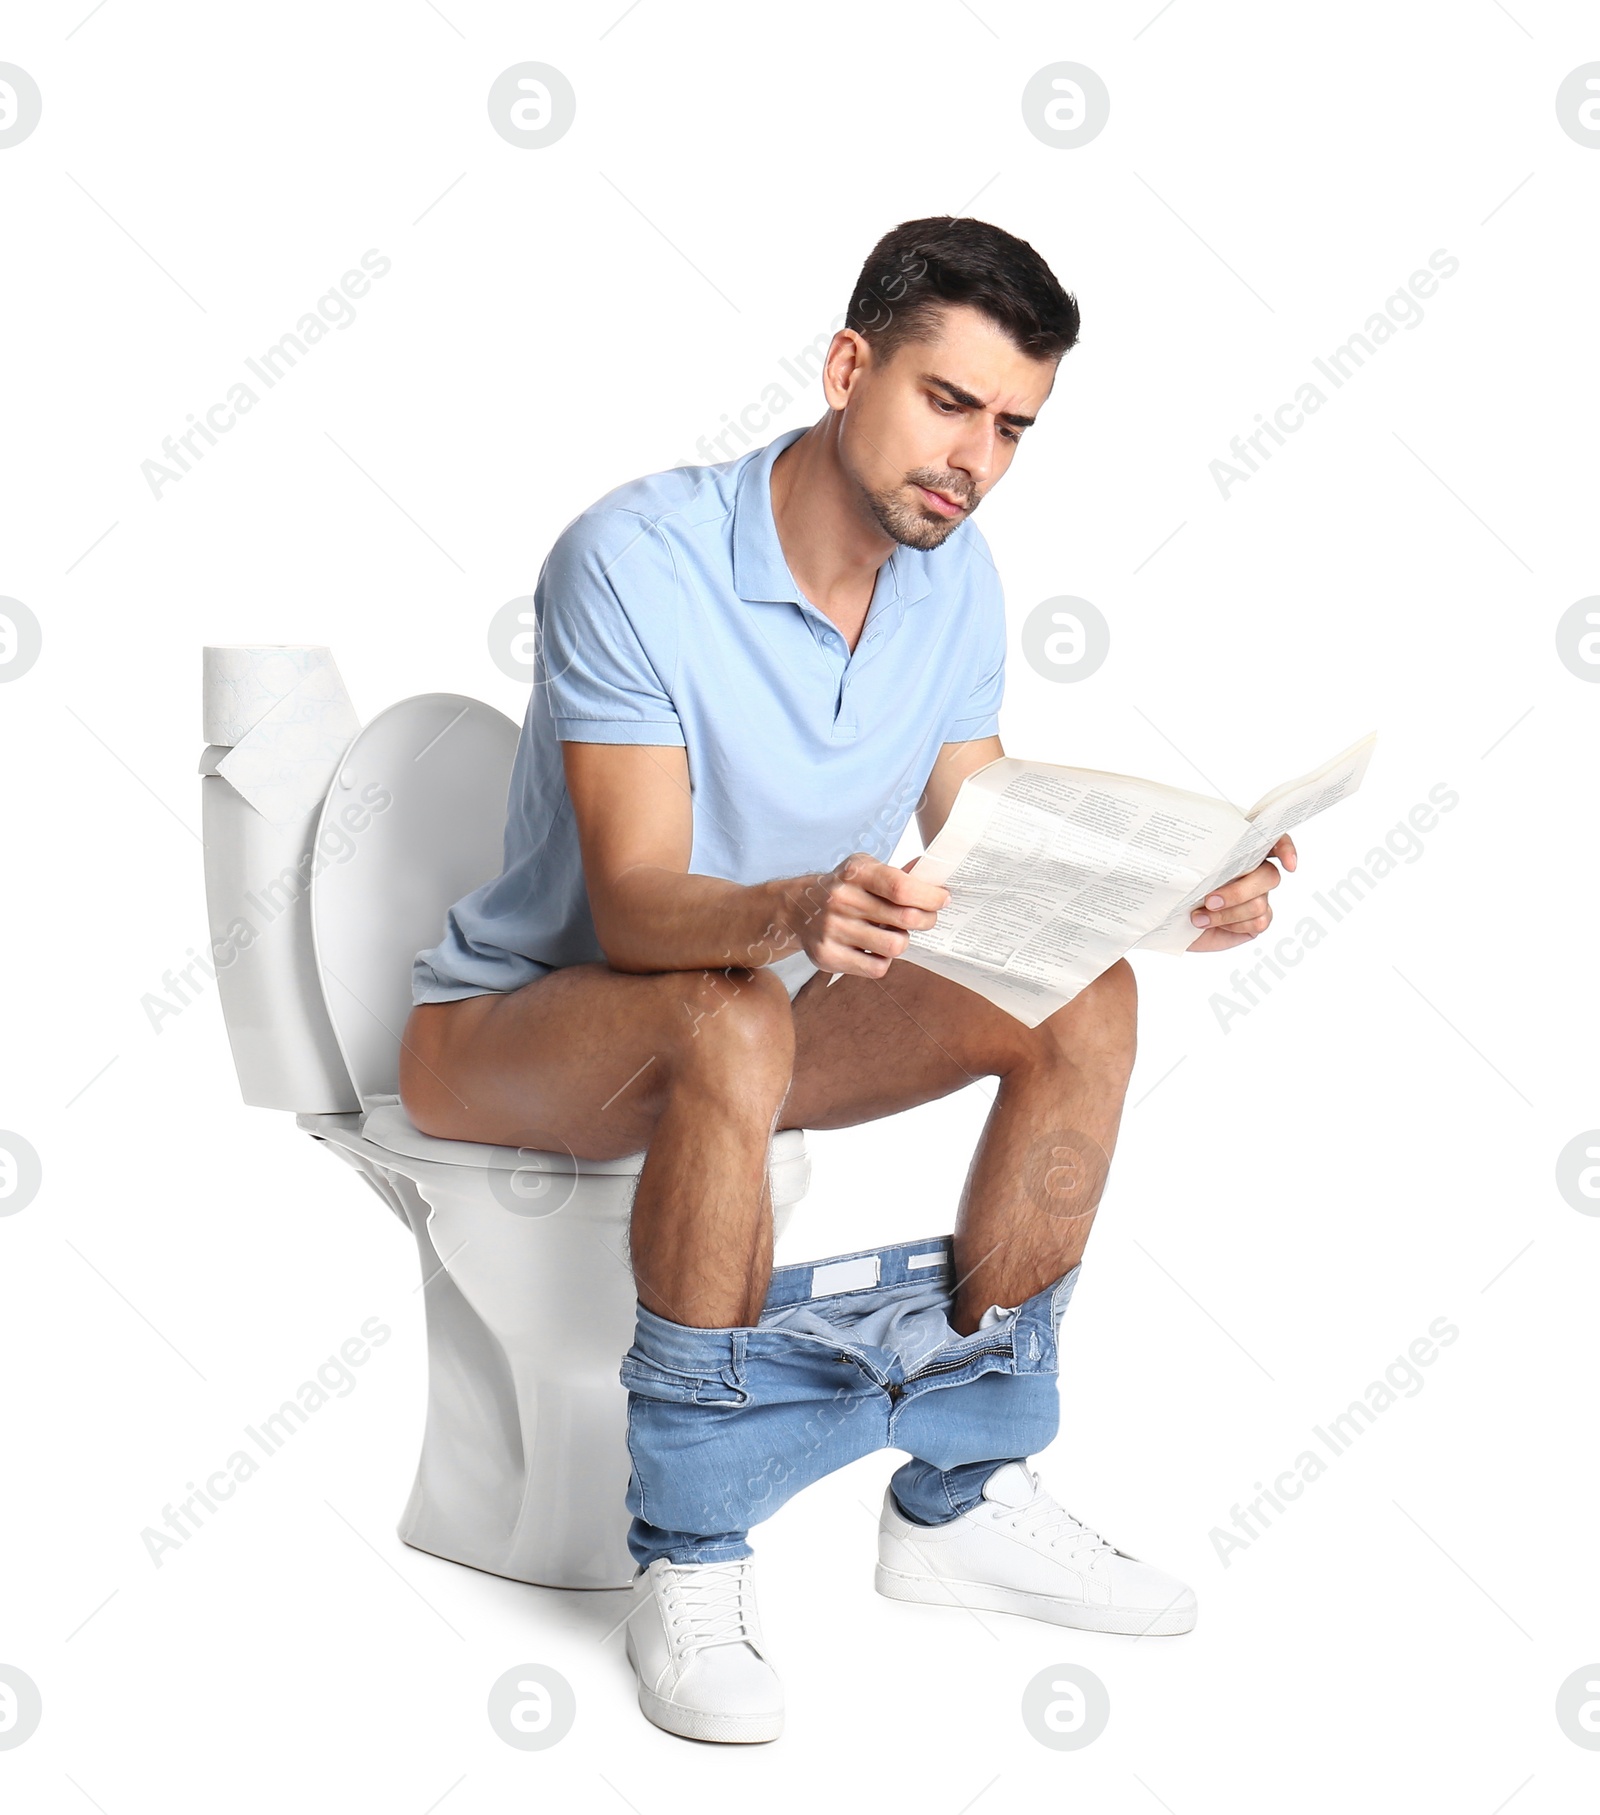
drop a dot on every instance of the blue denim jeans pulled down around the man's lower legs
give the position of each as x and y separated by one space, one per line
850 1355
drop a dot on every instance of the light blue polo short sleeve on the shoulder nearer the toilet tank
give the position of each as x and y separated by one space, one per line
607 609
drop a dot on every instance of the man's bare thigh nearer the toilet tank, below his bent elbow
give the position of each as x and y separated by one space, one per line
569 1061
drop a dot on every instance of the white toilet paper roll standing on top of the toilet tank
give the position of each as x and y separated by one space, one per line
286 714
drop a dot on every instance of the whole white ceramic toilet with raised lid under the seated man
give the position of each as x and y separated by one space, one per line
525 1255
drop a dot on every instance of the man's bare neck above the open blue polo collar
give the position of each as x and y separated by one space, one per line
830 540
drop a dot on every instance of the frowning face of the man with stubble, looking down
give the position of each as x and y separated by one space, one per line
930 431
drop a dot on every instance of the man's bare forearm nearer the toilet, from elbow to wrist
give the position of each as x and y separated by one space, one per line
667 921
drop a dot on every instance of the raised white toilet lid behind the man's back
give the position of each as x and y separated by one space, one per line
413 821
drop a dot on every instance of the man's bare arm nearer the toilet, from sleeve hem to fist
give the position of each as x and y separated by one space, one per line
636 834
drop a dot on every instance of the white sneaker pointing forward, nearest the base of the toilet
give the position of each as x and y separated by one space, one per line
696 1645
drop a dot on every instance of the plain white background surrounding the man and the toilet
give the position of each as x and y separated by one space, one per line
1294 1199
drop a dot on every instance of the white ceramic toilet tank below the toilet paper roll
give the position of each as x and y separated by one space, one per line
259 903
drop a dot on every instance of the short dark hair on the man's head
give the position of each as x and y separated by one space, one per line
950 259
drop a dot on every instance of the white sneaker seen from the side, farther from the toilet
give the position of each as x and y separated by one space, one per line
1022 1553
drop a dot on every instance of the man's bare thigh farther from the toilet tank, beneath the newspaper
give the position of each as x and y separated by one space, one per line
868 1048
